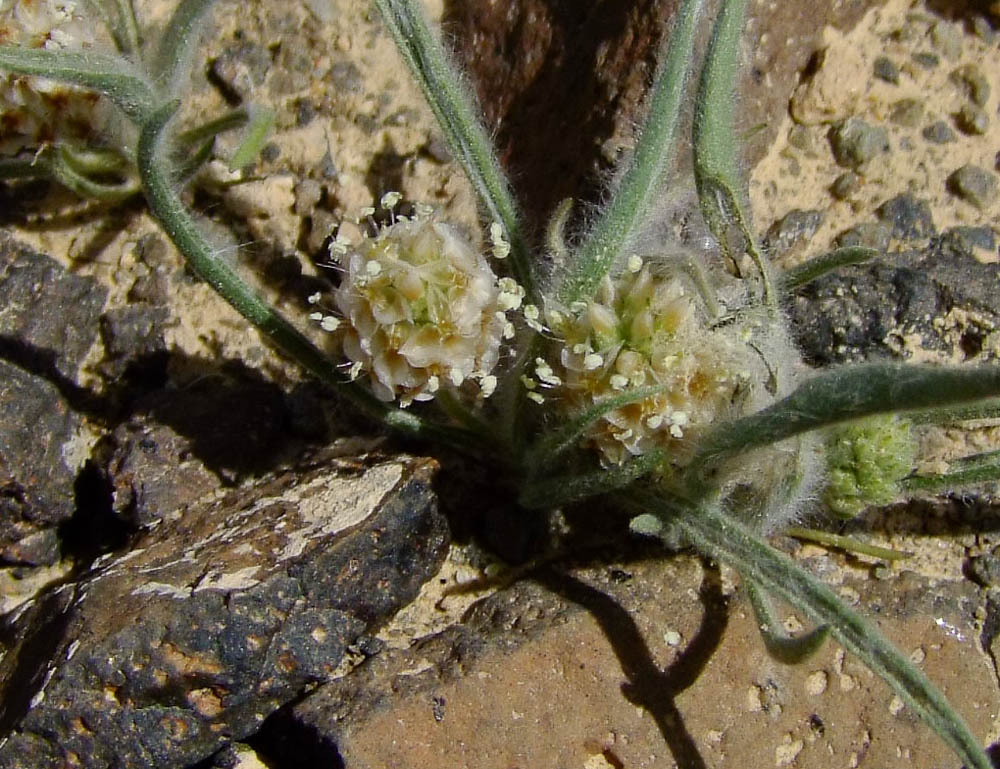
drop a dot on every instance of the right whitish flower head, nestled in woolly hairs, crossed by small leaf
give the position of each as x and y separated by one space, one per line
645 330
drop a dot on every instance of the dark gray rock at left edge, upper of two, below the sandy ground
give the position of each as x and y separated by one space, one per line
46 313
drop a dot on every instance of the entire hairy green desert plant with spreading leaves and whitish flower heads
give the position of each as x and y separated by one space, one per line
610 362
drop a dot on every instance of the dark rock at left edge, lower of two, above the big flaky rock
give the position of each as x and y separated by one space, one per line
36 483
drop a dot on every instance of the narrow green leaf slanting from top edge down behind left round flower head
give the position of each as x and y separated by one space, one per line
458 115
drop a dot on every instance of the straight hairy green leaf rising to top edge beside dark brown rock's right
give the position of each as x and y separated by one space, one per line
637 193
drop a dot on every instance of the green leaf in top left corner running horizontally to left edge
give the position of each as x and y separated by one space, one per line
110 75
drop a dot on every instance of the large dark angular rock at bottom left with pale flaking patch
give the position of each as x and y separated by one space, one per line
216 617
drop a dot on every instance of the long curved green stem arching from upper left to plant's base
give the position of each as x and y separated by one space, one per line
207 263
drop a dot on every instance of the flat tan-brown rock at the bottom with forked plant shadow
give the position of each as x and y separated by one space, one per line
653 664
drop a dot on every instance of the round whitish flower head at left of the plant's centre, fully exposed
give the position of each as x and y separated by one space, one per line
419 308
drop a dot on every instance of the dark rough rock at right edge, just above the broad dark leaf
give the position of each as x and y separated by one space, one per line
865 311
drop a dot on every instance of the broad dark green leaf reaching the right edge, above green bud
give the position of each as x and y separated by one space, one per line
850 393
